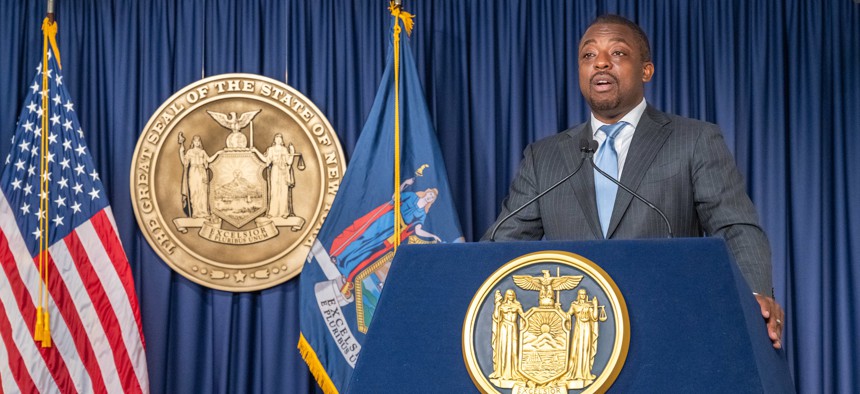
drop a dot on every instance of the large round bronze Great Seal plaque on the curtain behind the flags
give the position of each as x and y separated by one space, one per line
232 179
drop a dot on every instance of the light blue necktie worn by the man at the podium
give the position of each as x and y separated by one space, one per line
607 160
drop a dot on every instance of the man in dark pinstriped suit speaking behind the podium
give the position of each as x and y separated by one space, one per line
682 165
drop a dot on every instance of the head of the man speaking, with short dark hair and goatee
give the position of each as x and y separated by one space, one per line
612 74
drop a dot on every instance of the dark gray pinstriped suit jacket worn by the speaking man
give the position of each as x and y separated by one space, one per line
681 165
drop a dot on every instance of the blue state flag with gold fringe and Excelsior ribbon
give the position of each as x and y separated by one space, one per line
347 267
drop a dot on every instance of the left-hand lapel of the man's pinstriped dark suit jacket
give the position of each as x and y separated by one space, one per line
583 182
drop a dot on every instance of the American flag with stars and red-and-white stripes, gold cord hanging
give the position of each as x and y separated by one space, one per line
98 343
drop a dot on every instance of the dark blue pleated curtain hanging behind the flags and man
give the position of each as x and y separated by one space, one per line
781 77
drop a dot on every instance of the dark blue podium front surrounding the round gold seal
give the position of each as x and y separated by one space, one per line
695 325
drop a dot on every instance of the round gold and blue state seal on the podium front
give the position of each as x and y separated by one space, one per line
546 323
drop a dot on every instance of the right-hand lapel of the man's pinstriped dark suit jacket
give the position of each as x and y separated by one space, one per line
651 133
